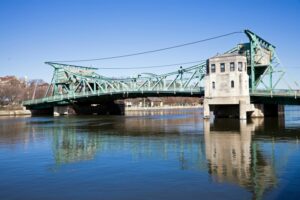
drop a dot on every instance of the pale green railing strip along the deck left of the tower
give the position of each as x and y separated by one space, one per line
66 97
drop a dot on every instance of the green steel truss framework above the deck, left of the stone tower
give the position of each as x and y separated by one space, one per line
72 79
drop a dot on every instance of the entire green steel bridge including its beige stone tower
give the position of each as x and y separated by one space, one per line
238 83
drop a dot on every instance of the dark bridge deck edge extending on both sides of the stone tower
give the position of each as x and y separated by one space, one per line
284 97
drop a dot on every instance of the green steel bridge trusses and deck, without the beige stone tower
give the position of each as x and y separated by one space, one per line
75 85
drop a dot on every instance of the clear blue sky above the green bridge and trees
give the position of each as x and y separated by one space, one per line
35 31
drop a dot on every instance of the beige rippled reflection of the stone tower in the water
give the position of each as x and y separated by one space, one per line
234 156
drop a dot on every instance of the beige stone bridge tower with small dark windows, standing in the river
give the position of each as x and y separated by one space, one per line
227 86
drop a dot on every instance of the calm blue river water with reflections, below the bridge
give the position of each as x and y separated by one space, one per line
150 155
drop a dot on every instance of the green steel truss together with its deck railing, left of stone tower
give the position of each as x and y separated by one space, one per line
72 82
